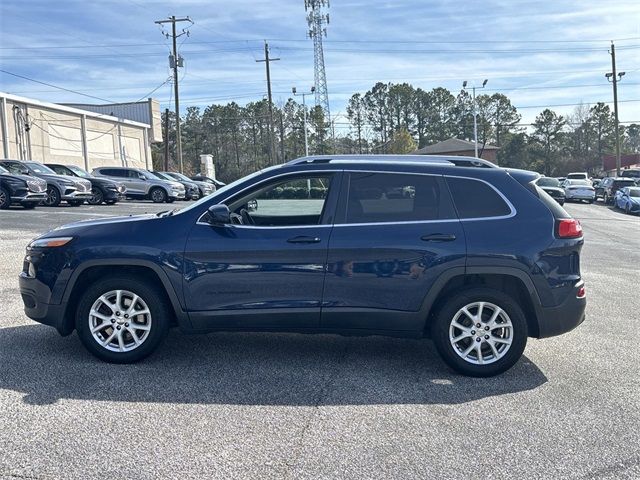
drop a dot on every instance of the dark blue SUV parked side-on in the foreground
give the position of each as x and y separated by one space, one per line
476 257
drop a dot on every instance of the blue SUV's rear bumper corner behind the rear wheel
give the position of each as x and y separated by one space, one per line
562 318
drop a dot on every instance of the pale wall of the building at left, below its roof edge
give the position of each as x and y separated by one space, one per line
56 135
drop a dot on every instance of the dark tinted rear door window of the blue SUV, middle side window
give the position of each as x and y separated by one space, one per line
391 197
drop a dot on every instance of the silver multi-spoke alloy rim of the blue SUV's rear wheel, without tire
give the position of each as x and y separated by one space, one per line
481 333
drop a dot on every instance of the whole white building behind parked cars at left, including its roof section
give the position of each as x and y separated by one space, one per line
49 132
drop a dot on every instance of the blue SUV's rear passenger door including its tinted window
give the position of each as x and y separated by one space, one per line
398 234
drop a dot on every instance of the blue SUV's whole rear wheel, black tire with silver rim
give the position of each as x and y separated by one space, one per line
442 332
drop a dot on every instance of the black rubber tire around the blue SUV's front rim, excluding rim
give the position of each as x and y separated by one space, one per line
146 291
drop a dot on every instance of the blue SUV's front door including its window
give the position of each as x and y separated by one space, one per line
267 270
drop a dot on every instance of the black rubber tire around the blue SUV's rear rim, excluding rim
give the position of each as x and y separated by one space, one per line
444 315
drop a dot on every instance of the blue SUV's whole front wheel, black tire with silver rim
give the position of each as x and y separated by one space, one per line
150 299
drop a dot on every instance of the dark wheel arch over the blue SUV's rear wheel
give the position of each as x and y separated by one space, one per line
512 281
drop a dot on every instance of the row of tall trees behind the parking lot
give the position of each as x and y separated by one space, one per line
396 118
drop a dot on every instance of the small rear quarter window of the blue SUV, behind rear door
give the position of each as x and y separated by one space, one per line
476 199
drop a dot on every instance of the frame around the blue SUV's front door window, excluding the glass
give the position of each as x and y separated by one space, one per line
330 203
